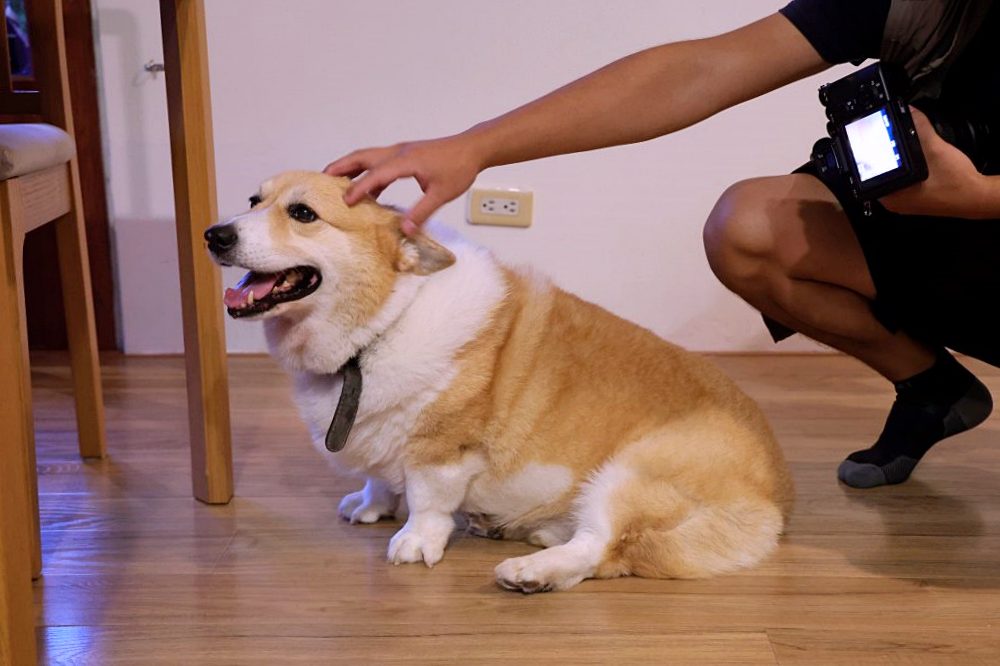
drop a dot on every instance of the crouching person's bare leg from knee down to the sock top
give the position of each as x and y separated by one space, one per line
786 247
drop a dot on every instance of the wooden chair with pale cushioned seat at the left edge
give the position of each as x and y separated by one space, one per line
39 184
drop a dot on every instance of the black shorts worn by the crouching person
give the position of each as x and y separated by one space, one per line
937 278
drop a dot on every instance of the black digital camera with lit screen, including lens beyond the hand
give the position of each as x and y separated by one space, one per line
873 142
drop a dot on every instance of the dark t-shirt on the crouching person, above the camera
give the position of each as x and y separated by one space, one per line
851 31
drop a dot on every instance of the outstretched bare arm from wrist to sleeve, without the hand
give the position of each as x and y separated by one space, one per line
649 94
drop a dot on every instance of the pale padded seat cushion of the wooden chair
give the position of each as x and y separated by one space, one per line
29 147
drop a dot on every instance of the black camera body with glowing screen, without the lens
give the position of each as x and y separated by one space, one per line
873 142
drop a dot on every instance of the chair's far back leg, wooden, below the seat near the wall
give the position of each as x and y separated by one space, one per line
74 271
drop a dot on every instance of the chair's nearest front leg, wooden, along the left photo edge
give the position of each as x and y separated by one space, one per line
17 634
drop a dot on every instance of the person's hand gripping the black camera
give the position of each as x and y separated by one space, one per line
953 187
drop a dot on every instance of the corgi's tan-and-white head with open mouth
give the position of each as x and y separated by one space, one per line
307 251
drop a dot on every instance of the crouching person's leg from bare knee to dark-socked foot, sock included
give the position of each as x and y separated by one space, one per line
787 248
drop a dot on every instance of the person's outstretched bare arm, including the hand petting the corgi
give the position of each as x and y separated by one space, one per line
642 96
